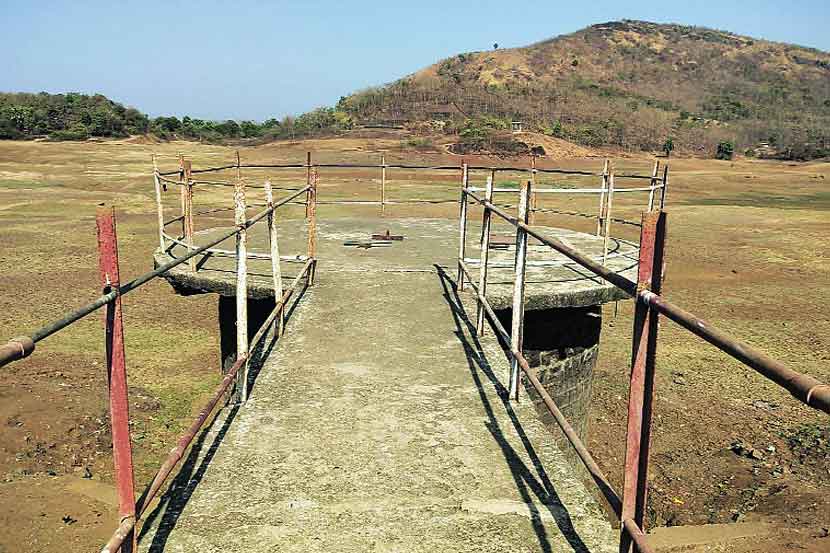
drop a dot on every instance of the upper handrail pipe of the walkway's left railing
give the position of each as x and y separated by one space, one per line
21 347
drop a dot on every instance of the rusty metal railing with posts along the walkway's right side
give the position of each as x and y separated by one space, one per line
630 506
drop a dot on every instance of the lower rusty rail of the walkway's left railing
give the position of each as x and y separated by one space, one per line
187 438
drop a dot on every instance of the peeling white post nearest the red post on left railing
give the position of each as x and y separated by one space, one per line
241 286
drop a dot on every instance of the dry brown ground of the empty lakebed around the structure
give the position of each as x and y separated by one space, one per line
746 250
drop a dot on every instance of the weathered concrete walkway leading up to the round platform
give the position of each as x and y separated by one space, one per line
377 424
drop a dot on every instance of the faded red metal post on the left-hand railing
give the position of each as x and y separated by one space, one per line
116 371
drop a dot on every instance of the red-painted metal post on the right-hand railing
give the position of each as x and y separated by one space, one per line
641 387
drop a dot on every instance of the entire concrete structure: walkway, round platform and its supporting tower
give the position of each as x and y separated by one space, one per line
378 422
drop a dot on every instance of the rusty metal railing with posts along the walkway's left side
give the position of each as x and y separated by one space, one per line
130 510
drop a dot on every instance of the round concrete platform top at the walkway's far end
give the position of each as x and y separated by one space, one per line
428 242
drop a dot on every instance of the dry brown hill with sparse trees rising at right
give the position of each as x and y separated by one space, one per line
630 84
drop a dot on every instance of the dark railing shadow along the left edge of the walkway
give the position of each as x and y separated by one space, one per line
178 494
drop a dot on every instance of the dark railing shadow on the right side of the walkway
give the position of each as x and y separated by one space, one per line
529 482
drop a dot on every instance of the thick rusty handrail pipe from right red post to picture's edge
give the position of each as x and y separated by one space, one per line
803 387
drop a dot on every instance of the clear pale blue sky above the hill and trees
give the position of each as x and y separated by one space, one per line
254 60
